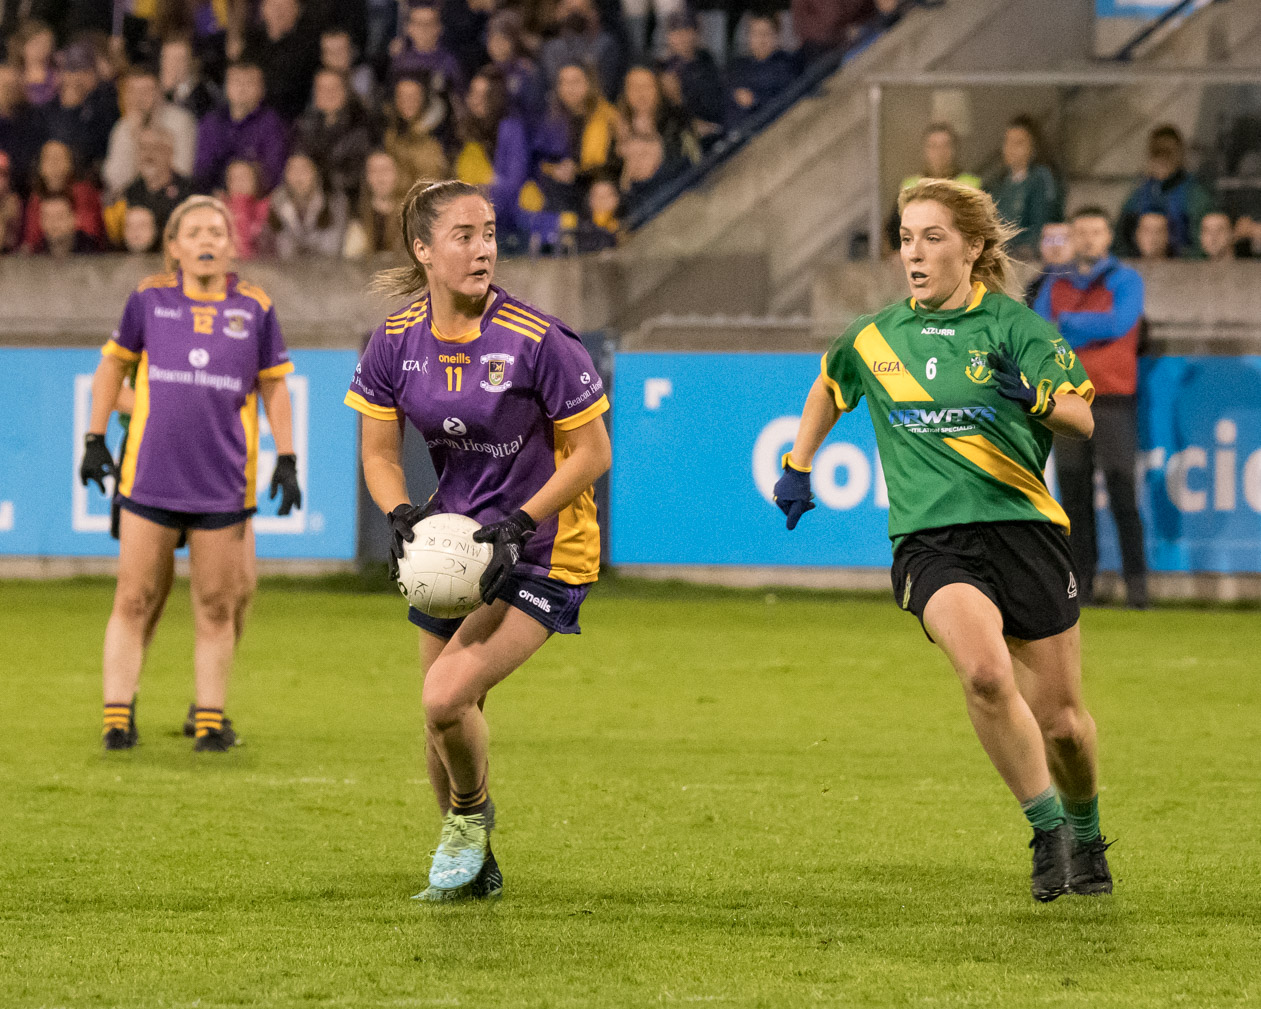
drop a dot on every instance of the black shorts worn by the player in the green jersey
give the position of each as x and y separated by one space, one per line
1025 568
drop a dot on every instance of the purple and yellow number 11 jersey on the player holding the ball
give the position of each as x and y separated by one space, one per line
490 405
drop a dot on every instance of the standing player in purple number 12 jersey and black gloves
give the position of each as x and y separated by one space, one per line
206 349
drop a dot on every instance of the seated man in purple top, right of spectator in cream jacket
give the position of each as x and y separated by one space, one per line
241 128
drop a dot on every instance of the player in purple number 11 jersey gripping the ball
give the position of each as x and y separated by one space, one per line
510 404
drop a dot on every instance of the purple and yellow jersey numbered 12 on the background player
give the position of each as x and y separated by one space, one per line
194 441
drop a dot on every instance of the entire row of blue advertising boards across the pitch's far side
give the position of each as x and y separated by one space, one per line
698 440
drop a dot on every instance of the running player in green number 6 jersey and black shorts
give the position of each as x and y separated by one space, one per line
967 387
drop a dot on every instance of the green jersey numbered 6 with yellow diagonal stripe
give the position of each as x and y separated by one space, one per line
953 450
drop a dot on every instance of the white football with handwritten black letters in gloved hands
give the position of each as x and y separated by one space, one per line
442 568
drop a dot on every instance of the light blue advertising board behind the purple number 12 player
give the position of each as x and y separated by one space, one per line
45 510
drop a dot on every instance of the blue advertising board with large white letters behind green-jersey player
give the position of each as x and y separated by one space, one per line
698 441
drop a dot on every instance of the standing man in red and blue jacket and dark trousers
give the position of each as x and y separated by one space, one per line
1098 308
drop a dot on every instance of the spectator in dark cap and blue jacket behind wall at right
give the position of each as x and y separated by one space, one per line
1170 190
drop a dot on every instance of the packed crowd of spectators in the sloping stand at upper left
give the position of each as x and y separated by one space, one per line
312 119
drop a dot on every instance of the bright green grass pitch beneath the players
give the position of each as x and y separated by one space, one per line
708 798
